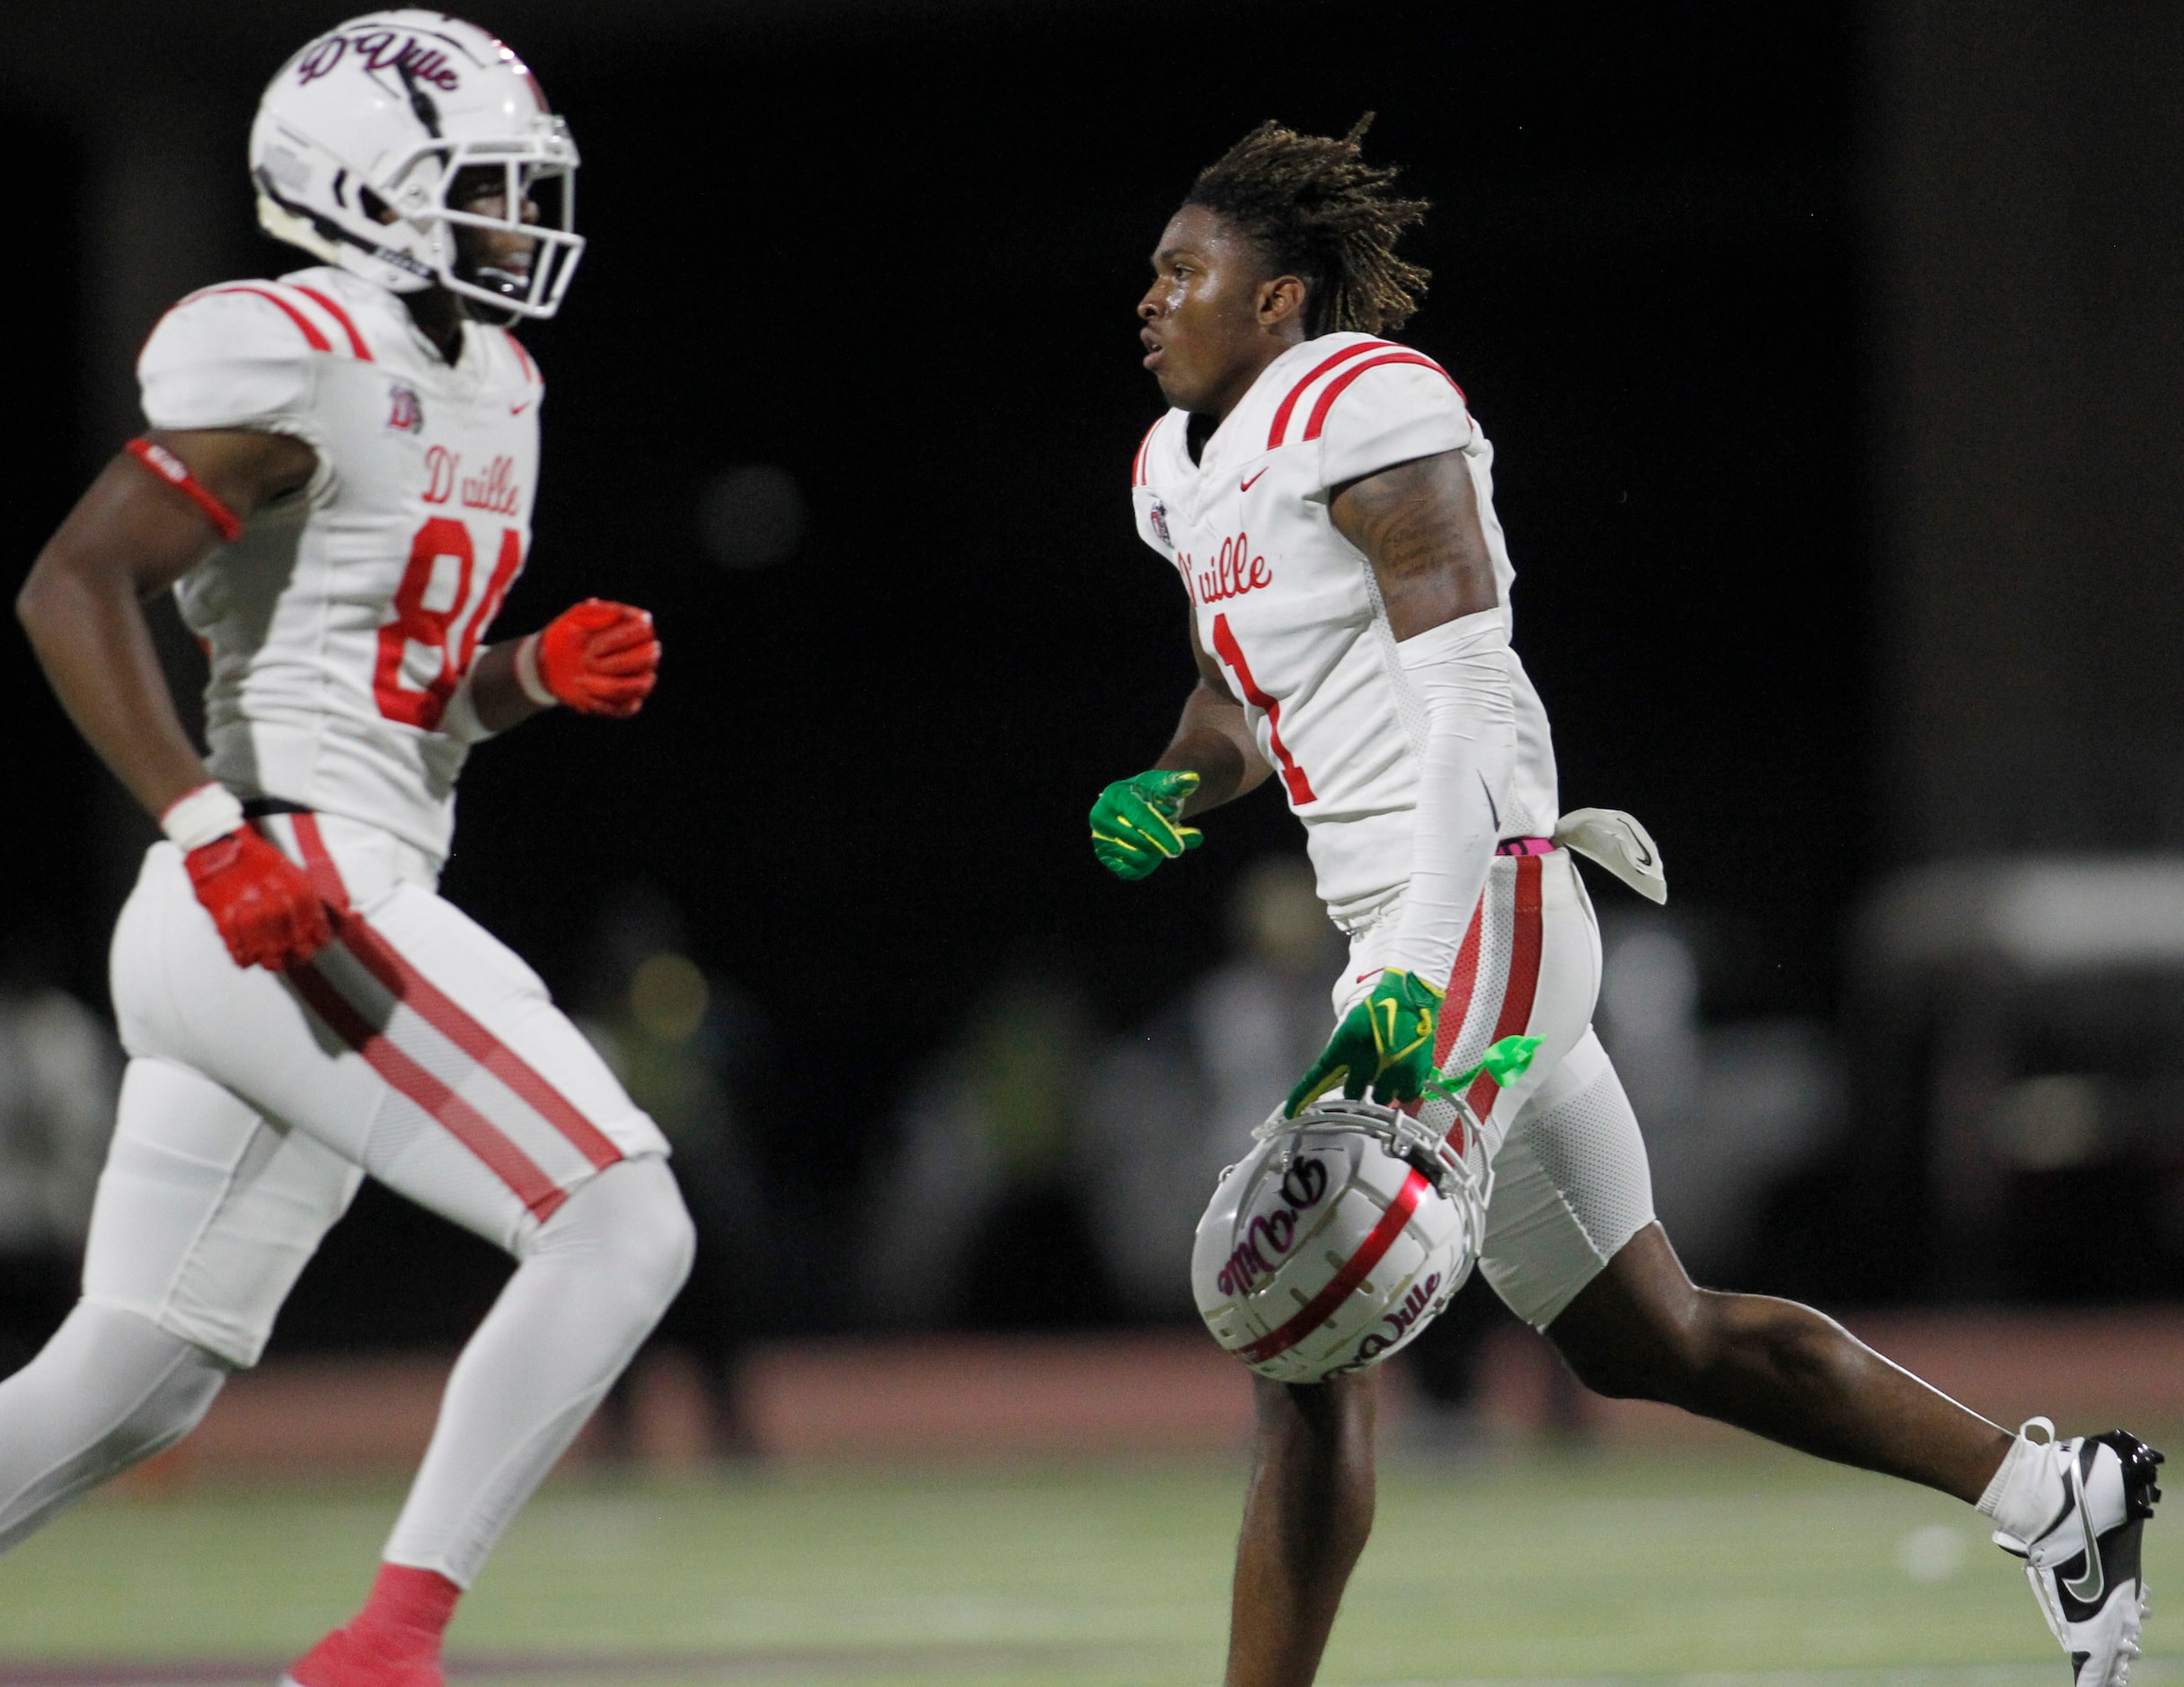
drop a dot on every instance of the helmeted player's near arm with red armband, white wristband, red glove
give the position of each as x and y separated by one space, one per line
141 527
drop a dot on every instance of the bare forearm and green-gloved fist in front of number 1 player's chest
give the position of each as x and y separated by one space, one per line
1211 761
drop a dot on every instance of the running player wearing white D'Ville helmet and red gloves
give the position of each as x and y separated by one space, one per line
337 483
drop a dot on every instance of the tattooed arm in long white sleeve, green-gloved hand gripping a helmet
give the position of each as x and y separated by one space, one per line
1419 527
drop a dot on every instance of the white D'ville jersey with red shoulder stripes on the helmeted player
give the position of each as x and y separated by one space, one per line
344 617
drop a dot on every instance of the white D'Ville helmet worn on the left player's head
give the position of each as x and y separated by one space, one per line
364 134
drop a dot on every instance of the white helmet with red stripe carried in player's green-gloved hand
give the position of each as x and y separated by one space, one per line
1342 1236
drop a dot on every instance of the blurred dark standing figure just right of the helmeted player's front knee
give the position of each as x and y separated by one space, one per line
685 1042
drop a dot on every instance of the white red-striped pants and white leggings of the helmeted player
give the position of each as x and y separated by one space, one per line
418 1051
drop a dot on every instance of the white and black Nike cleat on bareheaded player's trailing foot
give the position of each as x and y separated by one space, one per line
2085 1566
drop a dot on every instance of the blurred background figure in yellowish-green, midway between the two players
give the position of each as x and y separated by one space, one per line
980 1219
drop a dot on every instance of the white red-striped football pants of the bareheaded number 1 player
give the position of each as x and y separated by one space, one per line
1571 1180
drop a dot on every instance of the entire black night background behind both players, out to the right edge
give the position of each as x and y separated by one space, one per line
1812 342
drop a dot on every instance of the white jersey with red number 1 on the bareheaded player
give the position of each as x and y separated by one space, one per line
1292 610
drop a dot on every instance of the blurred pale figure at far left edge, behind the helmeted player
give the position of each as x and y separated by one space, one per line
60 1075
